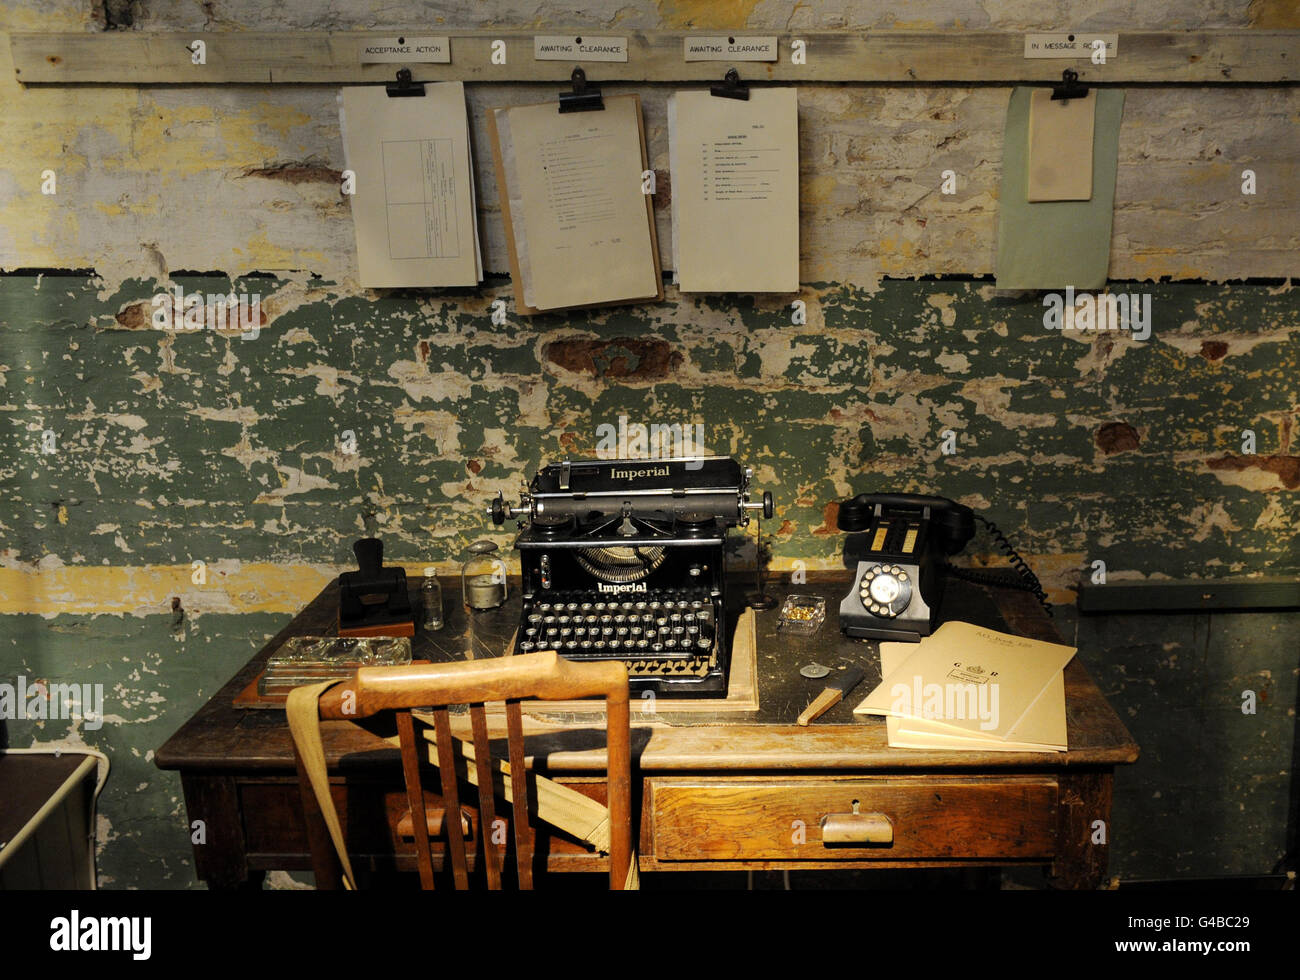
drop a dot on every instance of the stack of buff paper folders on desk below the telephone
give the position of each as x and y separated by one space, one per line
970 688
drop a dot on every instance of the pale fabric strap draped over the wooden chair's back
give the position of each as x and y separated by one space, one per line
557 805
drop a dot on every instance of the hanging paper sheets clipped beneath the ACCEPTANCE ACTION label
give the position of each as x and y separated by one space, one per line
414 206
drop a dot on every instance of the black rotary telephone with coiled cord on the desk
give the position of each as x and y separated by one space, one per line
902 544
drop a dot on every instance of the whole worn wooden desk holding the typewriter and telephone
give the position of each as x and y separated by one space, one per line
716 792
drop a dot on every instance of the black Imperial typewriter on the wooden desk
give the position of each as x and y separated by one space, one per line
625 561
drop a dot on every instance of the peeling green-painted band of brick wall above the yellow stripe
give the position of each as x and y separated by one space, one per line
172 448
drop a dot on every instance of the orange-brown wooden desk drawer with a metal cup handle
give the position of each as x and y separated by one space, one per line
916 818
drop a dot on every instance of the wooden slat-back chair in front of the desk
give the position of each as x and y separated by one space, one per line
376 690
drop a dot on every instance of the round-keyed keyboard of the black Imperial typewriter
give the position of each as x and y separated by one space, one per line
656 635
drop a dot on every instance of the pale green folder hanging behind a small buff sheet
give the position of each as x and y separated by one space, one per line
1054 245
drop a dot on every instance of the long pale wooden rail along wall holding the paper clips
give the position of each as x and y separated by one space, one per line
302 58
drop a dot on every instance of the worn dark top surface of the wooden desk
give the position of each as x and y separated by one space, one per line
220 738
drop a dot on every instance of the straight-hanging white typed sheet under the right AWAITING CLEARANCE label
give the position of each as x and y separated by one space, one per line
735 192
